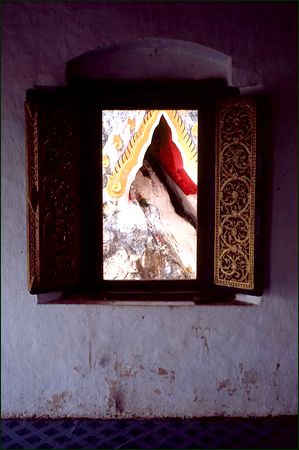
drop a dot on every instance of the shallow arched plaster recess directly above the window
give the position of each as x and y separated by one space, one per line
151 58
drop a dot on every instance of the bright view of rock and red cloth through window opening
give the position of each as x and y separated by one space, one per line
149 194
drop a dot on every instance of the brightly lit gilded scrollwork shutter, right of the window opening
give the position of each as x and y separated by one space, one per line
235 191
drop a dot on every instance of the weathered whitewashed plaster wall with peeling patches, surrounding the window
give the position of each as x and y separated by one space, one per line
104 361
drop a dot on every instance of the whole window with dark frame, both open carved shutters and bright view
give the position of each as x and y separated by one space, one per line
103 156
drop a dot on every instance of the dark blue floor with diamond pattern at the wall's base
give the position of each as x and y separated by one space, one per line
205 433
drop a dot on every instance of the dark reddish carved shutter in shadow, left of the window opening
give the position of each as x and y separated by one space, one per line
53 206
